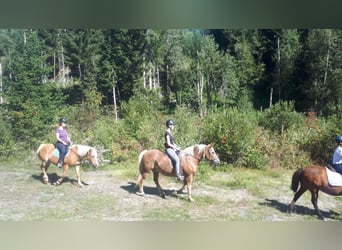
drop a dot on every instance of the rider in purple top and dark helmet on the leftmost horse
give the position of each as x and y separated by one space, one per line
63 141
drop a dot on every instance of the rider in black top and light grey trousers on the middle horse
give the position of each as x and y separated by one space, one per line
171 148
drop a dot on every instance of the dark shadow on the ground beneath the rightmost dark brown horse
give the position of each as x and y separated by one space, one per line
298 209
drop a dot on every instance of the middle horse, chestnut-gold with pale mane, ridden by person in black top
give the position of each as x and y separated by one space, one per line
159 163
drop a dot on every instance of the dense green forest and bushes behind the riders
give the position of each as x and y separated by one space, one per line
264 97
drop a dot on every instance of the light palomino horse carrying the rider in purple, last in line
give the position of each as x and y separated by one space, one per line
75 156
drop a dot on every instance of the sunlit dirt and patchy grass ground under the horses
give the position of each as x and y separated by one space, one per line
108 197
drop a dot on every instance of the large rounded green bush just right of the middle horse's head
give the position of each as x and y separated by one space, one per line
234 137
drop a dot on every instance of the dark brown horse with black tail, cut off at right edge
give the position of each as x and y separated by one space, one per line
312 178
